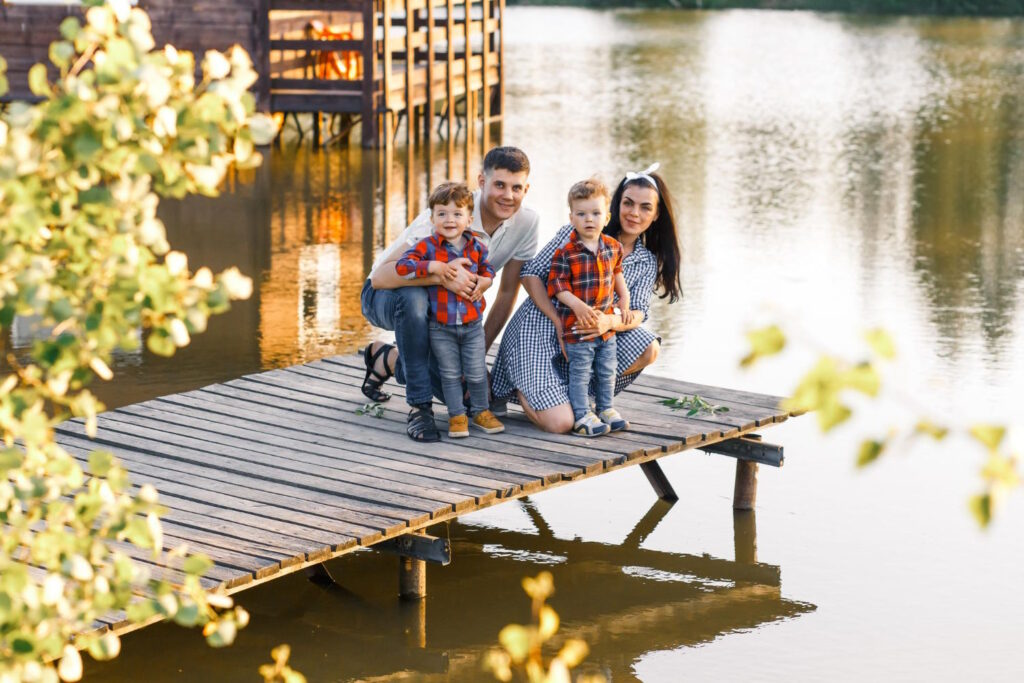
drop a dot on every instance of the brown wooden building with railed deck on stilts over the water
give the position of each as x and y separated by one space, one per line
438 64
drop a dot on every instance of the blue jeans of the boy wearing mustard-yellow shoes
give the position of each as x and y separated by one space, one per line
460 352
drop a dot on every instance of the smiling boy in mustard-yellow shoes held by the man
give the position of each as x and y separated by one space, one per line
456 328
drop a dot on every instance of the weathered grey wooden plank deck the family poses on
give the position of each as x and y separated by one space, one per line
275 472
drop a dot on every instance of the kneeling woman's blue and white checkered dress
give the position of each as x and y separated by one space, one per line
530 359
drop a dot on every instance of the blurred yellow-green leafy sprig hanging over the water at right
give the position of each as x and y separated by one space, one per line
824 390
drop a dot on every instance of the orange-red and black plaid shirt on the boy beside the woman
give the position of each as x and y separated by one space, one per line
589 276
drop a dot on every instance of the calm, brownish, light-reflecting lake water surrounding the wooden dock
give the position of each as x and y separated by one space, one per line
831 173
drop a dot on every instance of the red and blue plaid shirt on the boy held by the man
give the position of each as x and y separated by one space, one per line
447 308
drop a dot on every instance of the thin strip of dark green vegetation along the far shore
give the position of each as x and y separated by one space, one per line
931 8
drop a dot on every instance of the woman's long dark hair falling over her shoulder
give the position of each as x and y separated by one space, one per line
660 239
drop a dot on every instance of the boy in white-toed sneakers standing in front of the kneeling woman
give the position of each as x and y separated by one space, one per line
586 273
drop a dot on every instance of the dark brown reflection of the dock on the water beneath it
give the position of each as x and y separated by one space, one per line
624 600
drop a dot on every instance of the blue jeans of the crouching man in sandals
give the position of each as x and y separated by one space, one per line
407 312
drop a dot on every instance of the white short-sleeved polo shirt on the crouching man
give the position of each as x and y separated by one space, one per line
516 238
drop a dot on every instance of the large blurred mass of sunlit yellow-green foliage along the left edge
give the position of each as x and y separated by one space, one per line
84 257
